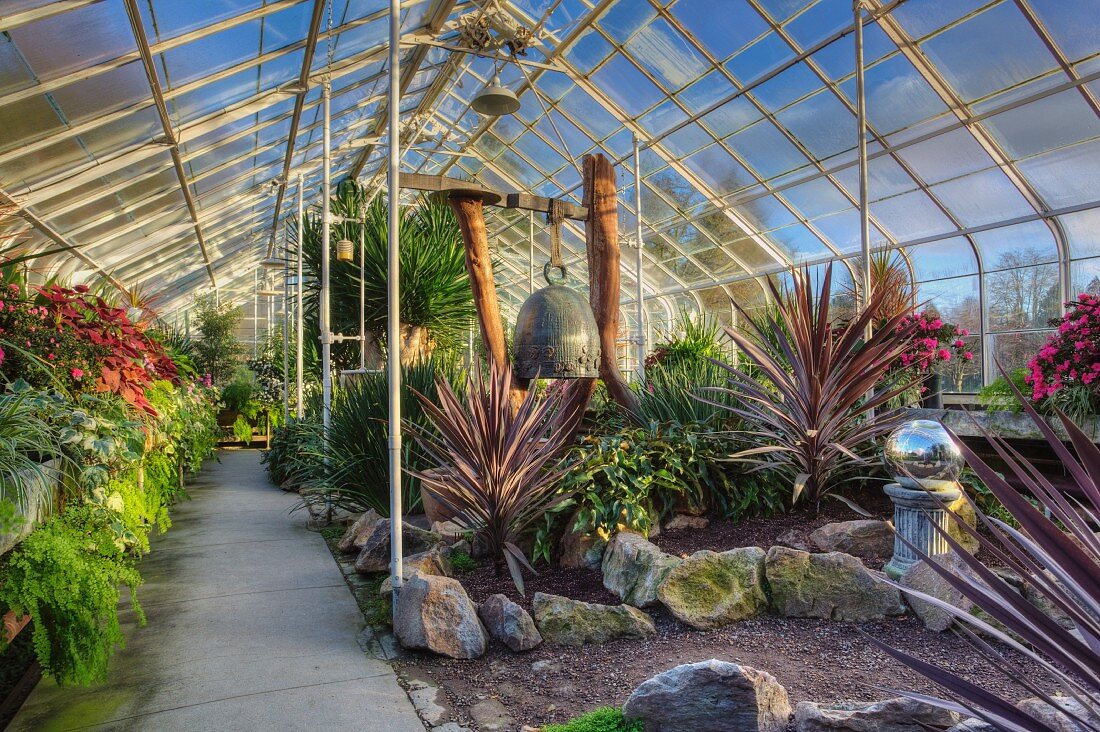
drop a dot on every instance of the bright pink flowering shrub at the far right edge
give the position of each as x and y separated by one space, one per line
1071 358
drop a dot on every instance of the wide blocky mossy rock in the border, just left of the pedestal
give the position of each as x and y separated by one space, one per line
832 586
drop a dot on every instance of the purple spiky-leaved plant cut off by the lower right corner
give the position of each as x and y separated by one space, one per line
1058 553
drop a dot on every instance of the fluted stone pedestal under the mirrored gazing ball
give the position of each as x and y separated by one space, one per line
917 515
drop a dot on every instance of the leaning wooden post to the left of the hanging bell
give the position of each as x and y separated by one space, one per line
470 213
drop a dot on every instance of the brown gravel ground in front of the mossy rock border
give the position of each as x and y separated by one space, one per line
818 661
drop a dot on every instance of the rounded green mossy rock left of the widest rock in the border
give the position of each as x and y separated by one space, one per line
710 589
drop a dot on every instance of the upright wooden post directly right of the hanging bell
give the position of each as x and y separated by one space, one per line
603 248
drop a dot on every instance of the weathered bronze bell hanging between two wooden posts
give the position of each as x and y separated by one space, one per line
556 335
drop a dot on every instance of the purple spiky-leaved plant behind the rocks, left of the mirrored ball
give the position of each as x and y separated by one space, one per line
815 396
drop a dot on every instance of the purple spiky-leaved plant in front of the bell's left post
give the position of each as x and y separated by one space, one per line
497 471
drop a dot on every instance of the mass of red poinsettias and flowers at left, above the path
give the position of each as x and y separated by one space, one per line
86 344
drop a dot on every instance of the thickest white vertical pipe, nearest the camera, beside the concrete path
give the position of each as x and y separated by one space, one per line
393 300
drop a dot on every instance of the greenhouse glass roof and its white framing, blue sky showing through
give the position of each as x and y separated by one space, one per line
159 144
